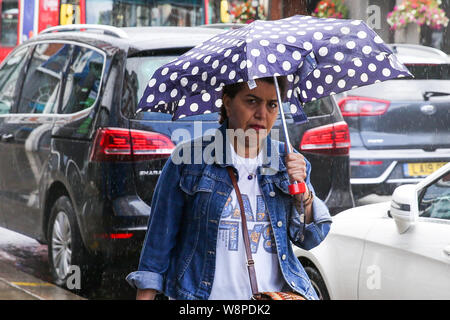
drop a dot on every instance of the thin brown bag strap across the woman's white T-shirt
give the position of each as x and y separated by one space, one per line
250 261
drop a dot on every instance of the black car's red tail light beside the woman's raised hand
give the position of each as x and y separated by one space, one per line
332 139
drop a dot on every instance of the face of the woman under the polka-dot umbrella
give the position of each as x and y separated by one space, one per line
255 109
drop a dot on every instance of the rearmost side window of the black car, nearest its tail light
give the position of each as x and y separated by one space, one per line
83 80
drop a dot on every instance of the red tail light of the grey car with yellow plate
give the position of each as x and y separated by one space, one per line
361 106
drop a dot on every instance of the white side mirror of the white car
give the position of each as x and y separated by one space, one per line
404 206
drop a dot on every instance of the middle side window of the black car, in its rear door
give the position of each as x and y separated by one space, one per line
42 85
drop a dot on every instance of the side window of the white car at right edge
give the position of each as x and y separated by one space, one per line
435 202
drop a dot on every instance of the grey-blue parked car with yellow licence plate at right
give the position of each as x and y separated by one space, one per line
399 129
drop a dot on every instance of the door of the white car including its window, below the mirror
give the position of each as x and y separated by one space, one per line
415 264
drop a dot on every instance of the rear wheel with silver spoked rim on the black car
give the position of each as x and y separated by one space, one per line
67 255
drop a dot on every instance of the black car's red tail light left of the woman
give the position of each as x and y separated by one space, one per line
118 144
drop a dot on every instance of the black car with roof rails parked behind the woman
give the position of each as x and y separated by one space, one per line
78 163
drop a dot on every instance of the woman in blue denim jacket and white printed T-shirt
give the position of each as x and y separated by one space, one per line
194 245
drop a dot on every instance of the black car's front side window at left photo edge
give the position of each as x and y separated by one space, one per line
9 74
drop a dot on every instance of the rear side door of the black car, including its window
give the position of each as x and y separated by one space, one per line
31 134
